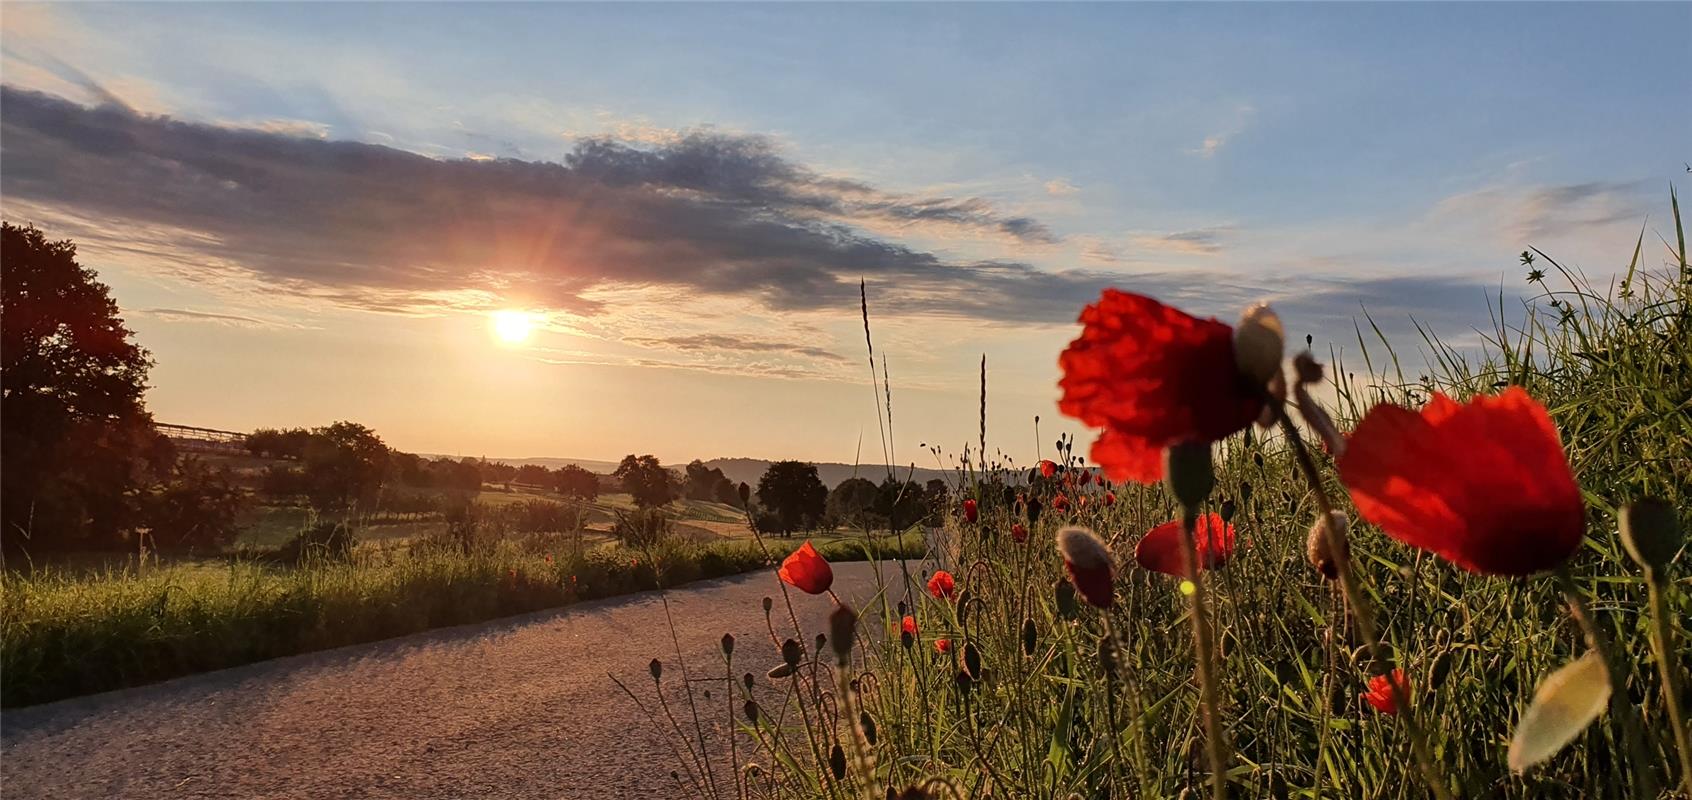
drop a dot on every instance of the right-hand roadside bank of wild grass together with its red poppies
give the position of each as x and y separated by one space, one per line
1068 649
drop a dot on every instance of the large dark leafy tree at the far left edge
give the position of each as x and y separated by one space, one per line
79 442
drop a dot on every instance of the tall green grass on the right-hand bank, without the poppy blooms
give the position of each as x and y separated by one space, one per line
1043 699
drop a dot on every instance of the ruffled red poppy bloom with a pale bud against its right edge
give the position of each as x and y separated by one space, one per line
1151 376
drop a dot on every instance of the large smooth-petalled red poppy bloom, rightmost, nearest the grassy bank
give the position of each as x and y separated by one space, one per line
1485 485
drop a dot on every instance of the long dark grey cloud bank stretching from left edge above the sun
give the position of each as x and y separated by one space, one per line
385 229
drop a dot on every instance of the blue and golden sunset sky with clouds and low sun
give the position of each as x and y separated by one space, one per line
322 212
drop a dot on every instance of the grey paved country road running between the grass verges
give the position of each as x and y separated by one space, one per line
520 708
